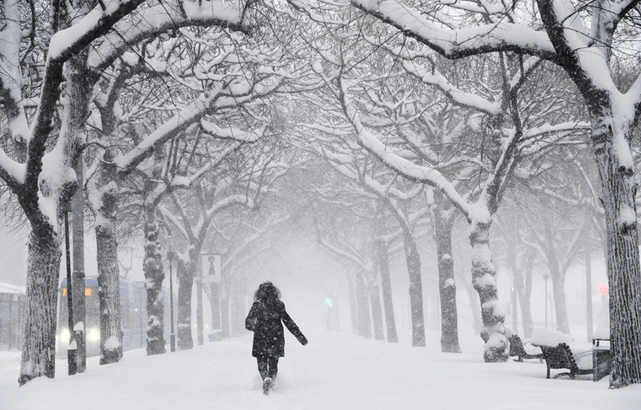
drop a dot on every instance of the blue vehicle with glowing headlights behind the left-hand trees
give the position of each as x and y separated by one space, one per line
133 316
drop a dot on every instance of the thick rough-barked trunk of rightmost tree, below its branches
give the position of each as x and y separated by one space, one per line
624 274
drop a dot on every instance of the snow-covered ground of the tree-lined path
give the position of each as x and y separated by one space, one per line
336 371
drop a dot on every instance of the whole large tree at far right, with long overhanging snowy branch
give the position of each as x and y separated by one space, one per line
583 39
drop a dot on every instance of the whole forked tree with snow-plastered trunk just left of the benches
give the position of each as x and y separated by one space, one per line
492 124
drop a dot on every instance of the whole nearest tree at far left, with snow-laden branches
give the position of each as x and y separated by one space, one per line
43 145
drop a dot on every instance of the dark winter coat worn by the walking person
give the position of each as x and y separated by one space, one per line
265 319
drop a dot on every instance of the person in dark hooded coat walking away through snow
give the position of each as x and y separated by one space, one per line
266 318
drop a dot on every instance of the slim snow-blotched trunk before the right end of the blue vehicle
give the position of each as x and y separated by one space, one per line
154 277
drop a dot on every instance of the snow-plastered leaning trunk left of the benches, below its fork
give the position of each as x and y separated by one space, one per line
484 280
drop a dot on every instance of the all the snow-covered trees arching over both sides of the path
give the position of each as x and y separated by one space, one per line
188 113
